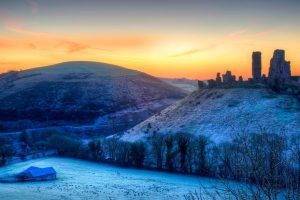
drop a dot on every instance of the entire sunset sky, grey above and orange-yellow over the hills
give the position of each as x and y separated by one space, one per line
166 38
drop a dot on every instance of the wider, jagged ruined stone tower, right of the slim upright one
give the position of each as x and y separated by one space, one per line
280 69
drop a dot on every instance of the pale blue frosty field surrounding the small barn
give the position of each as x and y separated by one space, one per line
86 180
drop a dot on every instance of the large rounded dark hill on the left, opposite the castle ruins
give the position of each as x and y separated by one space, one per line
76 93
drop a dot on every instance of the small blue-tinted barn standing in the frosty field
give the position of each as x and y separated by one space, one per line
37 174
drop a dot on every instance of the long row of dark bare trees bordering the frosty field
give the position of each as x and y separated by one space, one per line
269 161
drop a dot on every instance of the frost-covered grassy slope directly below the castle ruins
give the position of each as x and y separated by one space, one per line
218 113
